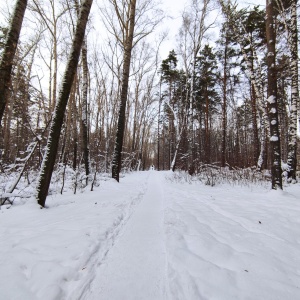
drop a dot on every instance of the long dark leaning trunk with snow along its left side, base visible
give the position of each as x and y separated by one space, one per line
60 107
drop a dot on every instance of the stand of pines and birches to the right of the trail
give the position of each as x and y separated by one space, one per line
234 103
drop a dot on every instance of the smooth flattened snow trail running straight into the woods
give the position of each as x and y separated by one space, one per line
135 267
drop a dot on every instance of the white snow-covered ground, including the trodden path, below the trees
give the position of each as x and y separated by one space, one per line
152 236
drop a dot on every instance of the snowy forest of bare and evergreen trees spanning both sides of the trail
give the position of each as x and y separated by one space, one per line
84 90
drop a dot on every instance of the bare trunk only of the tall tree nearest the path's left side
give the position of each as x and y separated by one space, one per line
116 163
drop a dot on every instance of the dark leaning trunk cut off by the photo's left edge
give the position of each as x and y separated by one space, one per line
9 52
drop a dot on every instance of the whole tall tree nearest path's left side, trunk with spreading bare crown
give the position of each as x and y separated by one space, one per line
132 26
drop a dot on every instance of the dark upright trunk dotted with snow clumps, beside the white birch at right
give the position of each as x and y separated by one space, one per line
272 97
